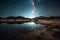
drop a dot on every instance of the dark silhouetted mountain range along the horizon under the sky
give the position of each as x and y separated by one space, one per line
40 17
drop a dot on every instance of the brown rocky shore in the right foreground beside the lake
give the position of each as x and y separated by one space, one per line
48 33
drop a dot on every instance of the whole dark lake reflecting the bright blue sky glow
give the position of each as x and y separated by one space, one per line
12 31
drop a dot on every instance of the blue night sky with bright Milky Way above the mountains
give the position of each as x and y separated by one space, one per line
29 8
